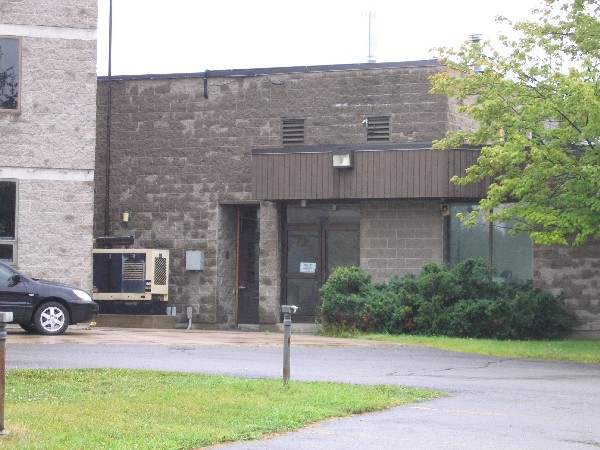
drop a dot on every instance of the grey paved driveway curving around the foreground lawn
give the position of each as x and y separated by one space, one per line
493 403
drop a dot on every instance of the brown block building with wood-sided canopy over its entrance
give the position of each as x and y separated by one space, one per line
278 175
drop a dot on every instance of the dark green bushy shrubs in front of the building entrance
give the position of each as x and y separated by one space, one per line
458 301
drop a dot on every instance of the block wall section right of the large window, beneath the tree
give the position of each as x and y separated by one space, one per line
575 273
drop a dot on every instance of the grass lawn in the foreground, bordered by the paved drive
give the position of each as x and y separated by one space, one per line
127 409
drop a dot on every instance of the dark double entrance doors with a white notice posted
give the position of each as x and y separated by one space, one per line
318 239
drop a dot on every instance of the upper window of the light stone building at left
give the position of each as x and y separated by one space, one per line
10 49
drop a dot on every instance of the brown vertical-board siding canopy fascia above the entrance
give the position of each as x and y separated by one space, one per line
376 174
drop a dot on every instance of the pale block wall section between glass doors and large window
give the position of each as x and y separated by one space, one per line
398 237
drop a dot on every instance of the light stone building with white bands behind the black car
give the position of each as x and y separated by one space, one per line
48 127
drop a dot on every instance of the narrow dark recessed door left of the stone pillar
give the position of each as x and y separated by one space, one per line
247 265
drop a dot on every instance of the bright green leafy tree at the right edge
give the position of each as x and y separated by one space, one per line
536 102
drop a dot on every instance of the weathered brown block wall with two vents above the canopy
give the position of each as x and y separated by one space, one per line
176 156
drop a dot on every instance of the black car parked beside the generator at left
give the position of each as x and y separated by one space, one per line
43 306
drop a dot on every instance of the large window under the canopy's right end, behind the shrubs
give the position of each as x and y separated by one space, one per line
511 256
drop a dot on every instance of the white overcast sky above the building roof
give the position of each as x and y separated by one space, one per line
157 36
